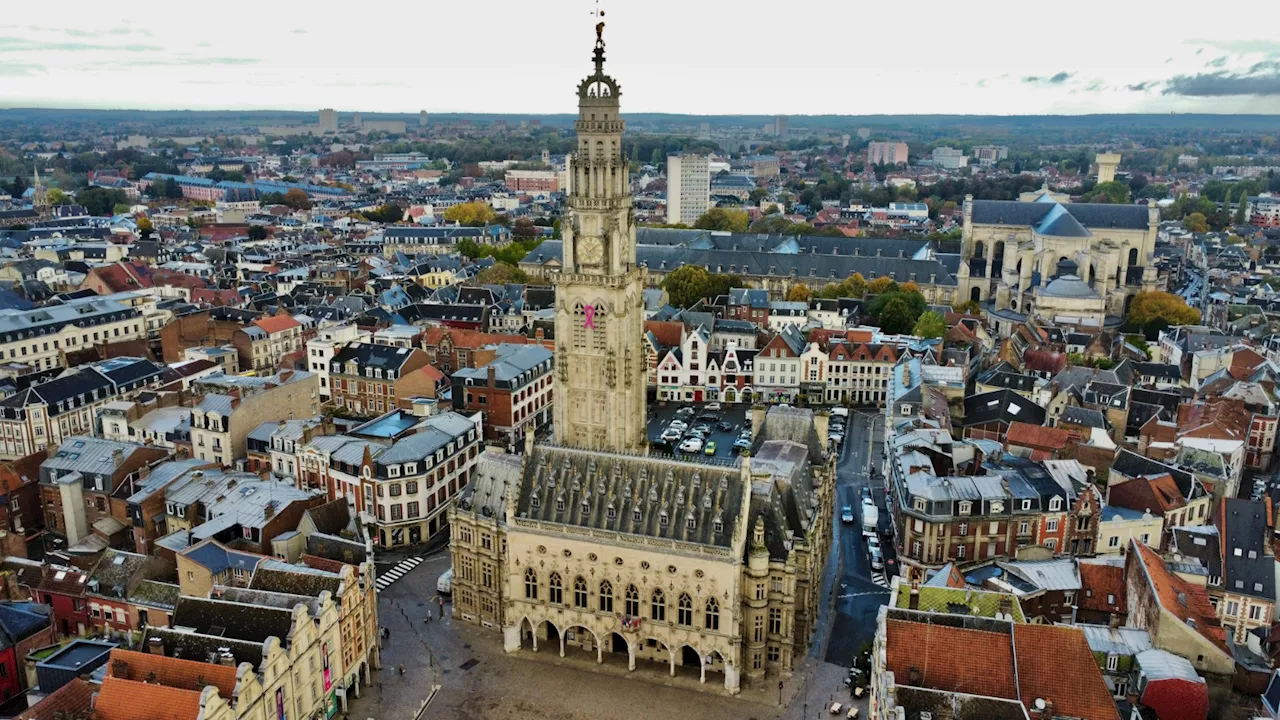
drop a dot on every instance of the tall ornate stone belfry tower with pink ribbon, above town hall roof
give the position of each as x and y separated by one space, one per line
600 291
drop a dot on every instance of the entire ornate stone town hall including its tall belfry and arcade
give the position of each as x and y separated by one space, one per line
592 548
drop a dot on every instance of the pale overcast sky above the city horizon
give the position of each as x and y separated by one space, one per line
701 57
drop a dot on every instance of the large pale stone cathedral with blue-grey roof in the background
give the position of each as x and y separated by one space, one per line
1012 250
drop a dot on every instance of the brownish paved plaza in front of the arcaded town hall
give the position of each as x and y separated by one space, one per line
479 682
